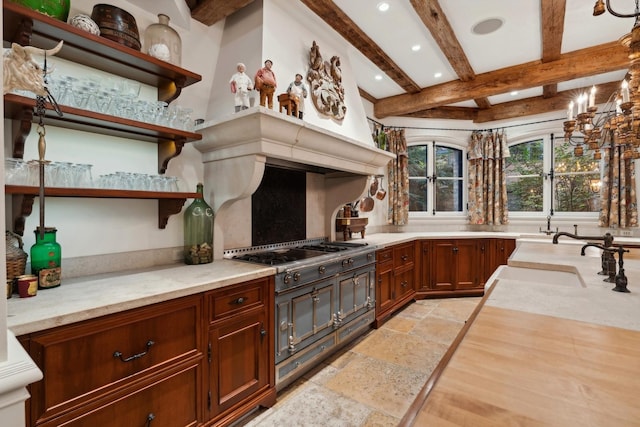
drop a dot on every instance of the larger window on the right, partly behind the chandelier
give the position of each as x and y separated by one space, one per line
568 189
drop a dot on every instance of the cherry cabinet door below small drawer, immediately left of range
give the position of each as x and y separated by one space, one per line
239 365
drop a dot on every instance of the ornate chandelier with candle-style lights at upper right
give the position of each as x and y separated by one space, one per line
618 124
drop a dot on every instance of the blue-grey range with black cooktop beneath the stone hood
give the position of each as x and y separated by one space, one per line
325 297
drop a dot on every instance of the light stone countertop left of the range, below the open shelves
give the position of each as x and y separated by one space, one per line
89 297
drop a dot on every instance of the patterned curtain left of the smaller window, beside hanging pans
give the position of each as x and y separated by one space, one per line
398 171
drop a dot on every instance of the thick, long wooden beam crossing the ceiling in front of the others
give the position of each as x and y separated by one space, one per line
581 63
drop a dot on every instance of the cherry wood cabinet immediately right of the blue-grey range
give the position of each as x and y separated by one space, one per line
395 279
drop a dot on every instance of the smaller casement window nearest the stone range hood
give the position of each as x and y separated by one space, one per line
445 174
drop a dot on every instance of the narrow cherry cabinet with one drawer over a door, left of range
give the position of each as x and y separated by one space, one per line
241 361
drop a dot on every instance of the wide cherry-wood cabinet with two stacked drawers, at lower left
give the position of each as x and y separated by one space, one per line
121 368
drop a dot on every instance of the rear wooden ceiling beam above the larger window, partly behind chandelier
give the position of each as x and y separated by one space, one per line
540 105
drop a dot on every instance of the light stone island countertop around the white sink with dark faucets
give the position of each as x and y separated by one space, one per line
555 280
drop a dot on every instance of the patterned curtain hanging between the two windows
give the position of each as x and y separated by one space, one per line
487 182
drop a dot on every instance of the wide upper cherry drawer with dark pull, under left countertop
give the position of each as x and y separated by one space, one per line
82 361
